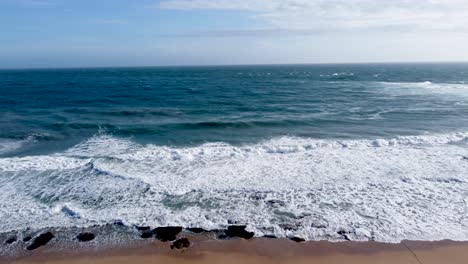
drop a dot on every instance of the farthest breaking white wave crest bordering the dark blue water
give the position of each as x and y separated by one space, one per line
106 145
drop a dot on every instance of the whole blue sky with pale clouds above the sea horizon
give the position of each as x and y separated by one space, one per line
94 33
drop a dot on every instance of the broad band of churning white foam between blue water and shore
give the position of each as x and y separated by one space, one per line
385 189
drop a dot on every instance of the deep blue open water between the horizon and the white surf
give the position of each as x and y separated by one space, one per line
58 108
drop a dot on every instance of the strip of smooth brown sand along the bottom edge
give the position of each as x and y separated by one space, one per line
262 250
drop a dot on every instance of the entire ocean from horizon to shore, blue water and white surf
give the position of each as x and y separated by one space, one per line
374 151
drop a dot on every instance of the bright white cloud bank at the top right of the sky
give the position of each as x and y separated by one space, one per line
343 14
